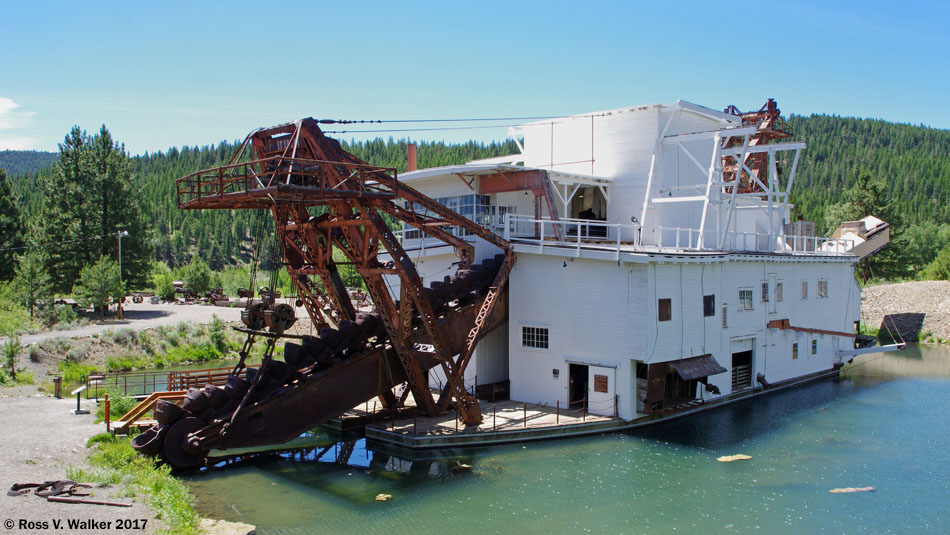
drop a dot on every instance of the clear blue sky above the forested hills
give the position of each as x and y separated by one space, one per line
195 73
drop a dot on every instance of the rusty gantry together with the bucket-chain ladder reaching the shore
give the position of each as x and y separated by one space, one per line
324 199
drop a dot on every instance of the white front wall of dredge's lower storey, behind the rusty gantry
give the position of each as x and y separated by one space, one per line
592 310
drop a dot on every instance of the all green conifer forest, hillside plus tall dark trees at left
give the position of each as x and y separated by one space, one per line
898 172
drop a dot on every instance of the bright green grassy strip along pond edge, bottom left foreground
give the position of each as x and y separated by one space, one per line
116 463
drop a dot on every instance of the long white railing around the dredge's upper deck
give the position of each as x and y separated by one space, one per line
584 234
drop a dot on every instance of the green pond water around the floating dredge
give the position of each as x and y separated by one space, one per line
884 424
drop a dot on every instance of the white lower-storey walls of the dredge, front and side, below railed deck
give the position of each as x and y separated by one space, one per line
602 314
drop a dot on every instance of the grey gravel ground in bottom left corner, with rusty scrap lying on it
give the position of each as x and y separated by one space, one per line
28 456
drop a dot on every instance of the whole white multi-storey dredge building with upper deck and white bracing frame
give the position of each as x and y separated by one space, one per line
659 265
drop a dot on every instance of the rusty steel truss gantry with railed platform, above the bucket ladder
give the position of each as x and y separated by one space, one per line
321 198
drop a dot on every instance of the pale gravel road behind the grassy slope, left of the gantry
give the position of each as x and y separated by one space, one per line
143 316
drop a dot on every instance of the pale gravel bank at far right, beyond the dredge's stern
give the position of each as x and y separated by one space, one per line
929 298
